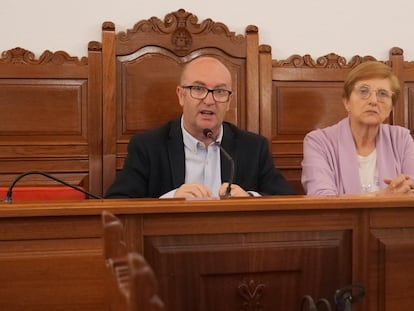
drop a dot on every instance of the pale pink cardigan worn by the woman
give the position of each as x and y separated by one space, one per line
330 162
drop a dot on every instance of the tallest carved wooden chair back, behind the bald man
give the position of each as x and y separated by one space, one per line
141 69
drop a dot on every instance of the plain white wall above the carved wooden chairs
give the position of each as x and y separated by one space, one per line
318 27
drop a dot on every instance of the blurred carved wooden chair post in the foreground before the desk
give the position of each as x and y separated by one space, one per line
133 276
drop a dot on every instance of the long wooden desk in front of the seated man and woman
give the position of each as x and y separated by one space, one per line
212 255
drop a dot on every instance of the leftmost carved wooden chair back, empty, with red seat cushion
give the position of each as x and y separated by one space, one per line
50 118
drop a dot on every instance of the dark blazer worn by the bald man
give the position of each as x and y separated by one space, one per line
155 163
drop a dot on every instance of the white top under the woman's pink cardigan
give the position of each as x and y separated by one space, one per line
368 172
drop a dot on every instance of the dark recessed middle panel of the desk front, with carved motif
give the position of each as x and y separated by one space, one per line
248 270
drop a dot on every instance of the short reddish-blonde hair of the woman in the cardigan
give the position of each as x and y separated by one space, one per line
371 70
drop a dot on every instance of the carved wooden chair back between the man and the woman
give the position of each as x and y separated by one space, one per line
301 94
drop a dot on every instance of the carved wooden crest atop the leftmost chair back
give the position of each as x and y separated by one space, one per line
22 56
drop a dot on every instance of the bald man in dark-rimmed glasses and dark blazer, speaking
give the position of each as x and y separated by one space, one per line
199 155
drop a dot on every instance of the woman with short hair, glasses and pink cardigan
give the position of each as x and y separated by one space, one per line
361 154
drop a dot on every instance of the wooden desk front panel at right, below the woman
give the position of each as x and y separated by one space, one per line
391 260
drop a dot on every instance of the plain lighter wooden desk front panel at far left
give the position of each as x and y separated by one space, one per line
52 263
